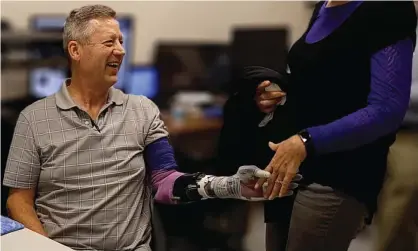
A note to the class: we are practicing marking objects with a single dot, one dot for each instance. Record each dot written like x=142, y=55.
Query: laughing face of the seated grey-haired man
x=101, y=57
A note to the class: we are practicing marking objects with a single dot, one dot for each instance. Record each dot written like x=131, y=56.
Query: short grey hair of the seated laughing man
x=77, y=25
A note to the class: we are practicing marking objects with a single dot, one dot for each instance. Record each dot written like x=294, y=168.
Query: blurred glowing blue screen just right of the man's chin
x=142, y=80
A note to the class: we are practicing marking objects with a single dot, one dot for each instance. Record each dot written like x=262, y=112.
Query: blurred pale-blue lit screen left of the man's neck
x=45, y=81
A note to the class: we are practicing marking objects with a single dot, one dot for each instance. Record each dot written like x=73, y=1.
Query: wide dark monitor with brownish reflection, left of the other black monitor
x=191, y=67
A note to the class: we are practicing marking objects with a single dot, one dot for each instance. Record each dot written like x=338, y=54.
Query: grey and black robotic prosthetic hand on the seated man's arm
x=194, y=187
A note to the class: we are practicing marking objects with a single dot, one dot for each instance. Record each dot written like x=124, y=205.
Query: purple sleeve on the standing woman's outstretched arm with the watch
x=391, y=72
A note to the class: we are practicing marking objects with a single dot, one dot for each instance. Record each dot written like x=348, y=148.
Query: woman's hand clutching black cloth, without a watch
x=267, y=100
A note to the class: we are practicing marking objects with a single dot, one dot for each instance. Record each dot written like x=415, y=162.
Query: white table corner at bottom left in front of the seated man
x=27, y=240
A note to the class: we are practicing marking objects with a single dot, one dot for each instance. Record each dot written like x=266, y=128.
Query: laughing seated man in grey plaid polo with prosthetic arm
x=86, y=162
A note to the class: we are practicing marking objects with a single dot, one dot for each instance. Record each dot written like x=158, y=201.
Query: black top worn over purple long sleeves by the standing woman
x=319, y=94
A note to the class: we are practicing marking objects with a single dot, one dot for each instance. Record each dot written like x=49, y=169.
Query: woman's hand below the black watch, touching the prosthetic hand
x=283, y=167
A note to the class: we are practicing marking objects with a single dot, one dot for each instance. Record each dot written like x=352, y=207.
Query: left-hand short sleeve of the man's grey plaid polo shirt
x=23, y=163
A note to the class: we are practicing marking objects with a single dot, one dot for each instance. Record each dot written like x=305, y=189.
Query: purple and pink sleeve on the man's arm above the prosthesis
x=159, y=156
